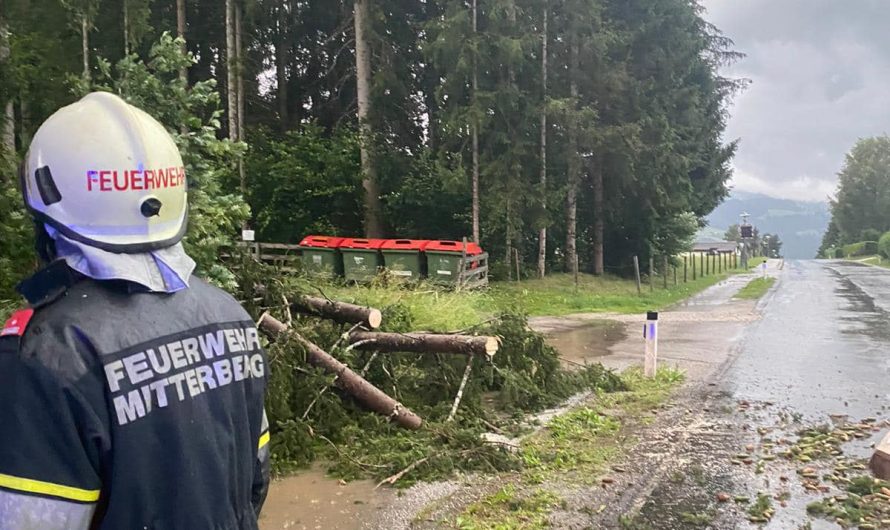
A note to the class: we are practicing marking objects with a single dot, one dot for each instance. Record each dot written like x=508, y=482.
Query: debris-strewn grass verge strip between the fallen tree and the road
x=576, y=448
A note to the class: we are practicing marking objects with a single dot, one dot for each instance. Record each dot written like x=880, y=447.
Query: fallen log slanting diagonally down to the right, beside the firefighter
x=364, y=392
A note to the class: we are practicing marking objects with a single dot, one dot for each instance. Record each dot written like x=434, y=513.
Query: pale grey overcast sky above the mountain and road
x=820, y=79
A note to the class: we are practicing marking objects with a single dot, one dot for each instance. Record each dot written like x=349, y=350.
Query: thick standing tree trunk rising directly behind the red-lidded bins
x=373, y=209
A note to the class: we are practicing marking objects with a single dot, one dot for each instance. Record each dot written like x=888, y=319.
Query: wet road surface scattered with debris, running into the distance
x=816, y=351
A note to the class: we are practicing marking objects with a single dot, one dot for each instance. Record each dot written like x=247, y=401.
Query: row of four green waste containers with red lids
x=361, y=260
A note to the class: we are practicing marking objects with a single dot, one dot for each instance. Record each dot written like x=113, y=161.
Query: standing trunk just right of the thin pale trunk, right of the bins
x=574, y=167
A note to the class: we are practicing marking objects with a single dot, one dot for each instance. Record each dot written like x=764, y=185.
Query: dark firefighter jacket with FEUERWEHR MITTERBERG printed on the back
x=127, y=410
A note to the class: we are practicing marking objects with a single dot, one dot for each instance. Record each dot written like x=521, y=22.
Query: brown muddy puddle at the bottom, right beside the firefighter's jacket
x=311, y=500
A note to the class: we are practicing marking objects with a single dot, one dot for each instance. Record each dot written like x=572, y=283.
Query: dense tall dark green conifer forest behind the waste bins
x=634, y=111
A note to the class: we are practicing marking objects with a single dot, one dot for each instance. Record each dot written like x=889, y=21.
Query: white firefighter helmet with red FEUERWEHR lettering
x=105, y=173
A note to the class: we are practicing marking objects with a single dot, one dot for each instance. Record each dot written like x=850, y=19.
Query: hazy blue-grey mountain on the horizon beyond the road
x=800, y=225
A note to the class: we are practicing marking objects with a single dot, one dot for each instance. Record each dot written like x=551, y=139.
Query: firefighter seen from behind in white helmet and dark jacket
x=131, y=391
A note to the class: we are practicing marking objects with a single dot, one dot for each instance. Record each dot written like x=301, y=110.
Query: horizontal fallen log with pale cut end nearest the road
x=424, y=343
